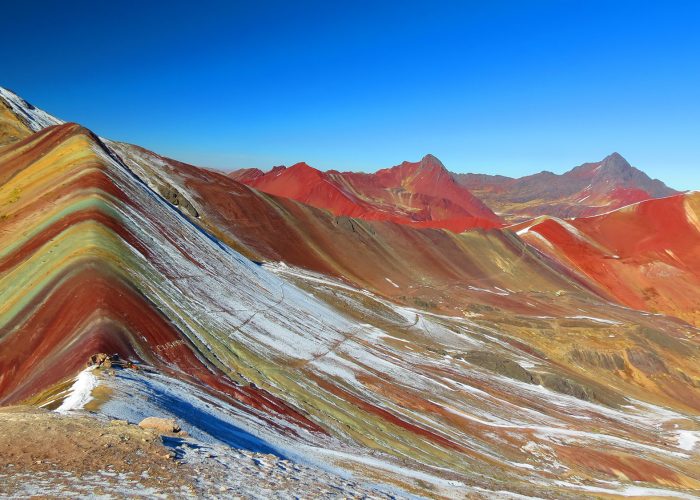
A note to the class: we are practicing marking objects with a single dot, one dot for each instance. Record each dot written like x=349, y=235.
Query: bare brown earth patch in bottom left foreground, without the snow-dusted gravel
x=36, y=441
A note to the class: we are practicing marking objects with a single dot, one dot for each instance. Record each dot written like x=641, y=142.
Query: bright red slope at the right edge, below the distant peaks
x=646, y=255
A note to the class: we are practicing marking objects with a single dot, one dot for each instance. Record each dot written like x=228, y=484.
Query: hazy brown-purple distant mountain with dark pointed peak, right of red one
x=589, y=189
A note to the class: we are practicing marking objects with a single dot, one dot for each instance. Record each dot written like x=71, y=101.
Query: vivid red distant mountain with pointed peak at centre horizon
x=422, y=194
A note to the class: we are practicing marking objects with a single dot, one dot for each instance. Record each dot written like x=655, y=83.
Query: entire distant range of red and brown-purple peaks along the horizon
x=425, y=194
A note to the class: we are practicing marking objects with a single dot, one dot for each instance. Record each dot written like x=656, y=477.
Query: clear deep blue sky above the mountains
x=490, y=86
